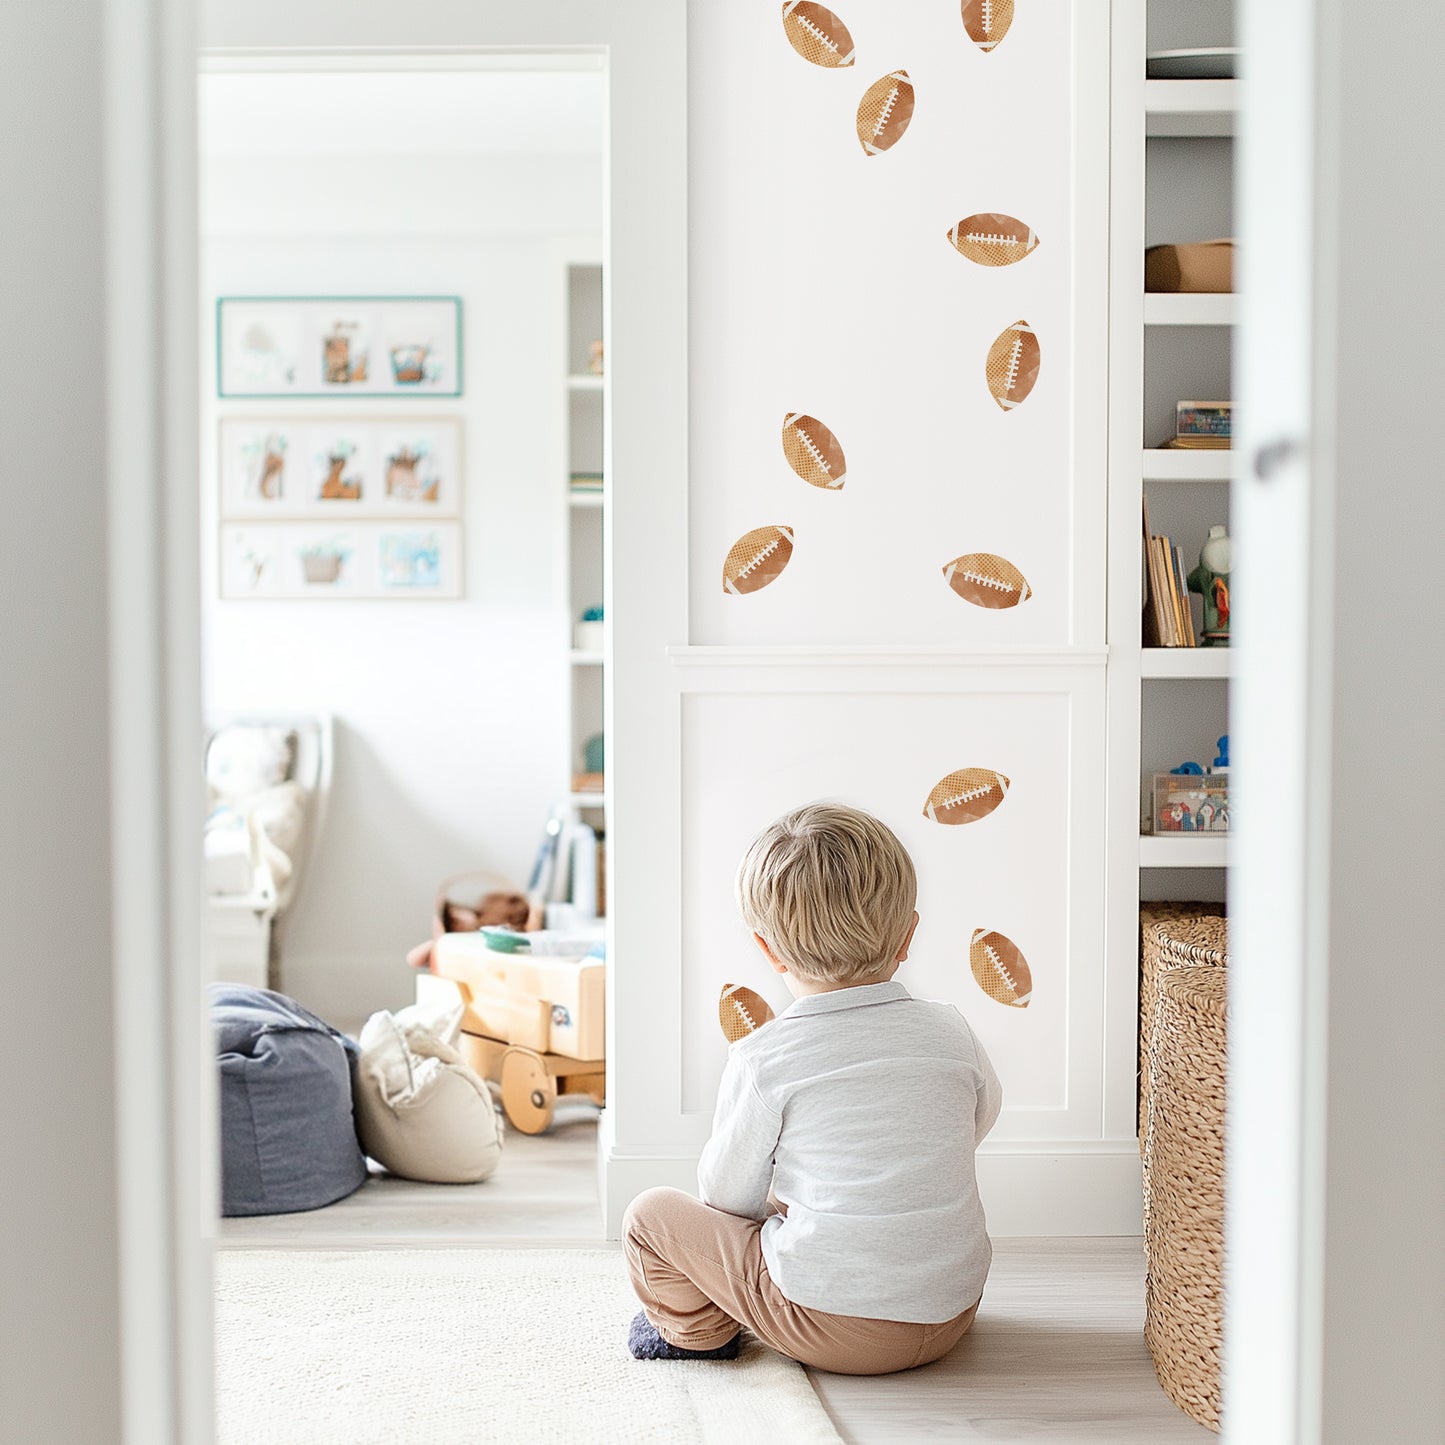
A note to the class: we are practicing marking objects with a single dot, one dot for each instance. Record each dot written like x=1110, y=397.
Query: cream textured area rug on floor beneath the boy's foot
x=431, y=1347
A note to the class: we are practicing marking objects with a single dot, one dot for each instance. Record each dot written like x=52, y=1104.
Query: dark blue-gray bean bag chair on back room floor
x=288, y=1139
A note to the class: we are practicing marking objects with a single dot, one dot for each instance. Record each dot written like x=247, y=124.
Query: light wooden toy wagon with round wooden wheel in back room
x=532, y=1025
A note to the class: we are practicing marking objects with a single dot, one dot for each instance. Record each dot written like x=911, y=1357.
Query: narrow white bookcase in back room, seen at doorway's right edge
x=586, y=517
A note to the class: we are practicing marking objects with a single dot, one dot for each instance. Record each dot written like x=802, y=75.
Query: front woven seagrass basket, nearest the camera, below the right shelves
x=1184, y=1207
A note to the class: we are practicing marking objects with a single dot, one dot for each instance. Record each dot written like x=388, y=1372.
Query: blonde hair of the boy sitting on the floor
x=832, y=891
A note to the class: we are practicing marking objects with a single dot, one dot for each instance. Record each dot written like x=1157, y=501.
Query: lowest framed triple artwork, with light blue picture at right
x=400, y=561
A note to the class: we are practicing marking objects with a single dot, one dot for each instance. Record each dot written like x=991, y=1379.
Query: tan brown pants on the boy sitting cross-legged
x=700, y=1274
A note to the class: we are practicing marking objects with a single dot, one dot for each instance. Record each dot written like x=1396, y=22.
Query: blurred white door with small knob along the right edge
x=1334, y=1264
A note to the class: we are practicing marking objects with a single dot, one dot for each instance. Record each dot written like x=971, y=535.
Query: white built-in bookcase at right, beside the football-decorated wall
x=1171, y=181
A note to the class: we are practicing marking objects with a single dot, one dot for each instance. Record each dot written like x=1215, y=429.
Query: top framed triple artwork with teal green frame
x=339, y=346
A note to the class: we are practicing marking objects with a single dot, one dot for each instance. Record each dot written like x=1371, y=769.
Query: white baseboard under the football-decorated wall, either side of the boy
x=1038, y=1190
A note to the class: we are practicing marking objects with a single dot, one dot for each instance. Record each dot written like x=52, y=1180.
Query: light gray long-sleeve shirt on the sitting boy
x=860, y=1109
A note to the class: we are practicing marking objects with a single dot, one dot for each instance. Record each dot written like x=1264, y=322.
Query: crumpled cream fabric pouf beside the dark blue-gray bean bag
x=421, y=1112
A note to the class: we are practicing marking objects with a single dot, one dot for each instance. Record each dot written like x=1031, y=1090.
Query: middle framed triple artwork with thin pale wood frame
x=297, y=467
